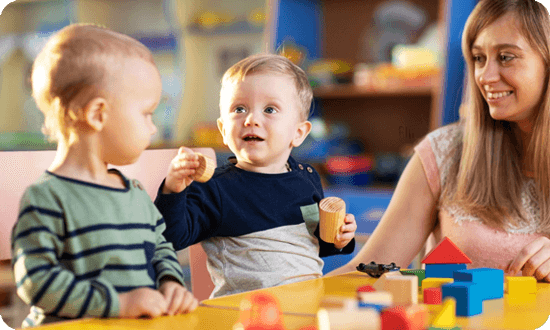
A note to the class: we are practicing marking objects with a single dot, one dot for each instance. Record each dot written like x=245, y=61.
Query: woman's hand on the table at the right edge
x=533, y=260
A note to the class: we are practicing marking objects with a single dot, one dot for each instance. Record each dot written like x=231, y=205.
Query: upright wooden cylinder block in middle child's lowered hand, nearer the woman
x=332, y=211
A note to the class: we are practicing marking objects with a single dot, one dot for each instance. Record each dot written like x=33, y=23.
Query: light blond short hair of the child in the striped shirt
x=73, y=68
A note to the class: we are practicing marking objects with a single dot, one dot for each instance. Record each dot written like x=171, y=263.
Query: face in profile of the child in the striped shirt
x=129, y=127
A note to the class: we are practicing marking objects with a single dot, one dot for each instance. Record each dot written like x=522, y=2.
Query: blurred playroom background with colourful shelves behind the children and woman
x=384, y=74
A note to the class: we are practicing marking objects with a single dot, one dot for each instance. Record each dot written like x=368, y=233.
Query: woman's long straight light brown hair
x=488, y=180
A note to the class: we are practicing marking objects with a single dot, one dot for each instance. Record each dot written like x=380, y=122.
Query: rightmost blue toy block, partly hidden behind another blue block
x=490, y=279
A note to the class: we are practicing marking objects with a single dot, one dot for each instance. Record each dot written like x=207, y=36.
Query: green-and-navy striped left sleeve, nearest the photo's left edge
x=41, y=278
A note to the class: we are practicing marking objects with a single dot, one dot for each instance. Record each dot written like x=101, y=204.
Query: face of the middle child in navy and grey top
x=261, y=121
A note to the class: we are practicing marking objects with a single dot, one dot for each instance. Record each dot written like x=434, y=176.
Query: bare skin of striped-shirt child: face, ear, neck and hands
x=87, y=153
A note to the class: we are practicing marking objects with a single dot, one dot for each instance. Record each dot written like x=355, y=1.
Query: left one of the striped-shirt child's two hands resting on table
x=142, y=302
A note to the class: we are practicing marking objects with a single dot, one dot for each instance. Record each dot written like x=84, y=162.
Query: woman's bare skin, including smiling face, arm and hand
x=503, y=61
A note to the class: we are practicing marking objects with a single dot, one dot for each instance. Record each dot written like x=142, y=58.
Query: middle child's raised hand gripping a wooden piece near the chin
x=181, y=171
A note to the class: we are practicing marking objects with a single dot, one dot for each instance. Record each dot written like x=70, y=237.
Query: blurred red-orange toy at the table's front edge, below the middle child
x=260, y=311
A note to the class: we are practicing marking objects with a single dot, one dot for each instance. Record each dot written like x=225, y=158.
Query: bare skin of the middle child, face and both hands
x=266, y=106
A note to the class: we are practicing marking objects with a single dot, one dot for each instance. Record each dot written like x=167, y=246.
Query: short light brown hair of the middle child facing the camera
x=265, y=63
